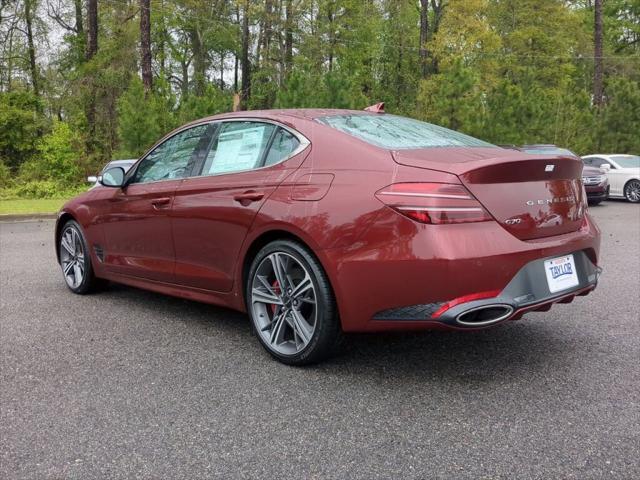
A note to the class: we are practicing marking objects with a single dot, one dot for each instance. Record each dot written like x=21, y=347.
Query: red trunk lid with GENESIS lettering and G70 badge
x=531, y=196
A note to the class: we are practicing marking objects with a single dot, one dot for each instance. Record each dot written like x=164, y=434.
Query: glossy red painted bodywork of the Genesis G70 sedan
x=196, y=244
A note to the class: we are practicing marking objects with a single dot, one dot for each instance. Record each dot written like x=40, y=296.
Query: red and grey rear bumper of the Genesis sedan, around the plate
x=405, y=272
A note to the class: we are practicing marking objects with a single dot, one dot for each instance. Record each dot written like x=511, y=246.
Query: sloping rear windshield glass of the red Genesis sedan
x=395, y=133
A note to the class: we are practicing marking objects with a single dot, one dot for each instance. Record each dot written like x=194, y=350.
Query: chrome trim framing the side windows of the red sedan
x=304, y=143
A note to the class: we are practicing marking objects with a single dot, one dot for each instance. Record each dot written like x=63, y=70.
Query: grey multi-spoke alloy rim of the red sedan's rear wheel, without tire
x=284, y=303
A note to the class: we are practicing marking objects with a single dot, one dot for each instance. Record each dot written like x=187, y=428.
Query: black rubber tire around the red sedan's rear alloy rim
x=327, y=334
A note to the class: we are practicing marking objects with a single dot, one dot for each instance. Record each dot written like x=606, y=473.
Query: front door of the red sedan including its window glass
x=136, y=223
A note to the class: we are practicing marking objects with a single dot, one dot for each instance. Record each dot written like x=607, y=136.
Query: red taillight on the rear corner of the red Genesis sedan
x=434, y=203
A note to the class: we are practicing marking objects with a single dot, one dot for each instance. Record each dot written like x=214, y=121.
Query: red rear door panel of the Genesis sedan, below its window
x=211, y=217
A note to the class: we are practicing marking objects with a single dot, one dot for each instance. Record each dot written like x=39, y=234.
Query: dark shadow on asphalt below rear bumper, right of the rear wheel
x=526, y=348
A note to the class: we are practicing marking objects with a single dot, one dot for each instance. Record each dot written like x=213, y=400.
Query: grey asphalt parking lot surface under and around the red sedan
x=131, y=384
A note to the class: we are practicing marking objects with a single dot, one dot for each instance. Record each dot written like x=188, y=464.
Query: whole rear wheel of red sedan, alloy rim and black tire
x=291, y=304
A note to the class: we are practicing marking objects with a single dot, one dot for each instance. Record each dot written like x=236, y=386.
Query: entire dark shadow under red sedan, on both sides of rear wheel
x=530, y=345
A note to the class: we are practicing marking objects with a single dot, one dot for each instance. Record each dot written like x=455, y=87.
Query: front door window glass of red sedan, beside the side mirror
x=172, y=159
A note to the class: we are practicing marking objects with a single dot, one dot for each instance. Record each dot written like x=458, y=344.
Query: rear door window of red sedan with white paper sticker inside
x=238, y=146
